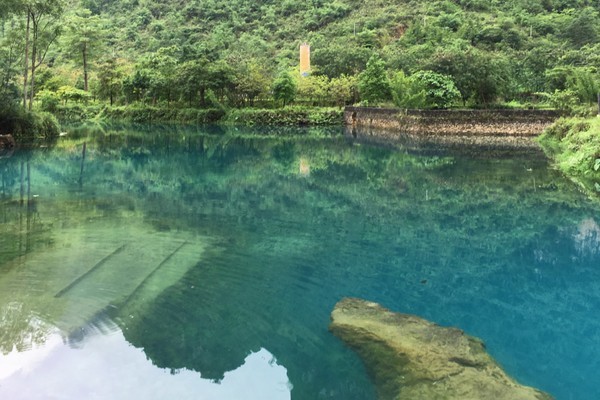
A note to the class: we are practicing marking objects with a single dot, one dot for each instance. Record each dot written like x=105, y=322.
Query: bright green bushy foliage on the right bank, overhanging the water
x=575, y=145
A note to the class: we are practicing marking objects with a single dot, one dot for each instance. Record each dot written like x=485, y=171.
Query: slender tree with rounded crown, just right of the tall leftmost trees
x=84, y=37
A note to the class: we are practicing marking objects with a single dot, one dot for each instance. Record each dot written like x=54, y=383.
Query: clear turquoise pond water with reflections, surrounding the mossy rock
x=204, y=263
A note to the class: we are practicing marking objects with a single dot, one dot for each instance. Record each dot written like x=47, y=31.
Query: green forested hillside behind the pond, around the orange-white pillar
x=242, y=53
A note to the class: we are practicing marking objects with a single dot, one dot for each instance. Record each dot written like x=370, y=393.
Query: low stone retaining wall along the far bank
x=440, y=123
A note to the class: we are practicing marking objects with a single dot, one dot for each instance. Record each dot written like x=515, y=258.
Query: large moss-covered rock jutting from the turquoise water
x=411, y=358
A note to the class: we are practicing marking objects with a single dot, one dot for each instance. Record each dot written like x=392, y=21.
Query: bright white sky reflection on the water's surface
x=108, y=367
